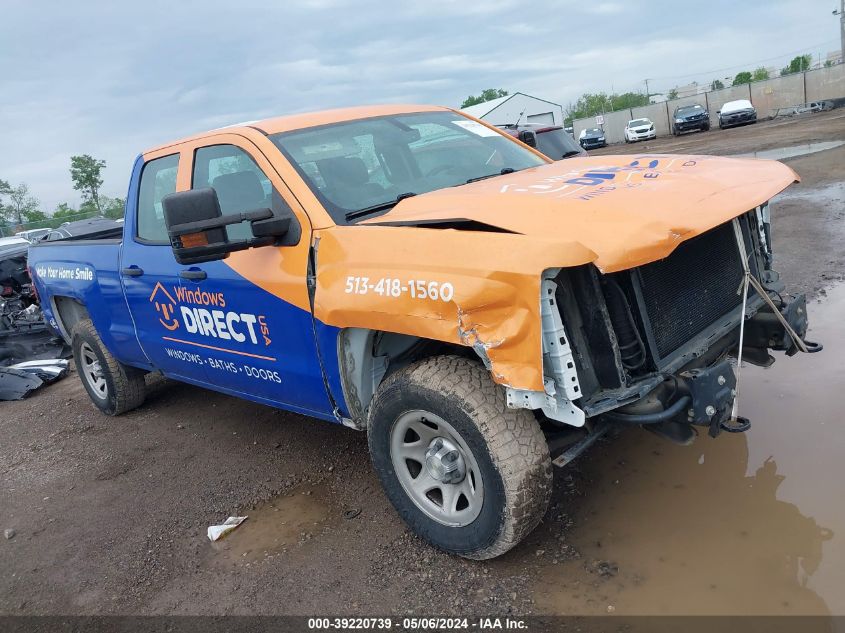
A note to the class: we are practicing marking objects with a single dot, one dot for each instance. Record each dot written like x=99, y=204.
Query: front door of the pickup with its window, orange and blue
x=250, y=316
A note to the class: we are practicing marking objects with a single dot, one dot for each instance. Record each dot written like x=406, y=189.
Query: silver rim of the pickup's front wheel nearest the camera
x=436, y=468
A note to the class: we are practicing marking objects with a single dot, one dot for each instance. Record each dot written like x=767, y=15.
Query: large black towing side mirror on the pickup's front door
x=197, y=226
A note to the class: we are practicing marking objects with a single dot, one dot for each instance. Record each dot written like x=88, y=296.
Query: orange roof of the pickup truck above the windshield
x=290, y=122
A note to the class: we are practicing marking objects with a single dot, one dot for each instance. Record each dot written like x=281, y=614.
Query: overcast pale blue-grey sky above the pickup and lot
x=113, y=78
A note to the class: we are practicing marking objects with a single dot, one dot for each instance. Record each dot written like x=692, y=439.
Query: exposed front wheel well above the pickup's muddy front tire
x=367, y=357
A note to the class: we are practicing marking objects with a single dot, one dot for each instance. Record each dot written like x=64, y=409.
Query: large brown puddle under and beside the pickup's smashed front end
x=743, y=524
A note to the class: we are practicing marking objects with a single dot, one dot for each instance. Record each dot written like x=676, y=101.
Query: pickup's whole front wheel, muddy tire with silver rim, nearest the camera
x=464, y=471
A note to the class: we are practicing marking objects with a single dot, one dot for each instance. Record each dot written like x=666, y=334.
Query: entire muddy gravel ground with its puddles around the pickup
x=109, y=515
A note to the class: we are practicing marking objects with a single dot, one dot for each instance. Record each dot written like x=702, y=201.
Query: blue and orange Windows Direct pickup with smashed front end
x=424, y=277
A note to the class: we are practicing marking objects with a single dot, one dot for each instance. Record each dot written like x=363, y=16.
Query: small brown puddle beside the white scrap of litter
x=275, y=526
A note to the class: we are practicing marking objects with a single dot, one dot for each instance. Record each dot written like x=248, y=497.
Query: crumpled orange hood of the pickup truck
x=624, y=210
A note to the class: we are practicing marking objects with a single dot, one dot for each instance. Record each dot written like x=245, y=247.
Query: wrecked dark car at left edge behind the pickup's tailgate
x=30, y=352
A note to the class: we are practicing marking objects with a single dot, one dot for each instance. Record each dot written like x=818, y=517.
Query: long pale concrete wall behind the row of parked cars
x=767, y=96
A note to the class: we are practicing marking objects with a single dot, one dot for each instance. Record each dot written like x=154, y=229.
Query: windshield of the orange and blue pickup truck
x=369, y=164
